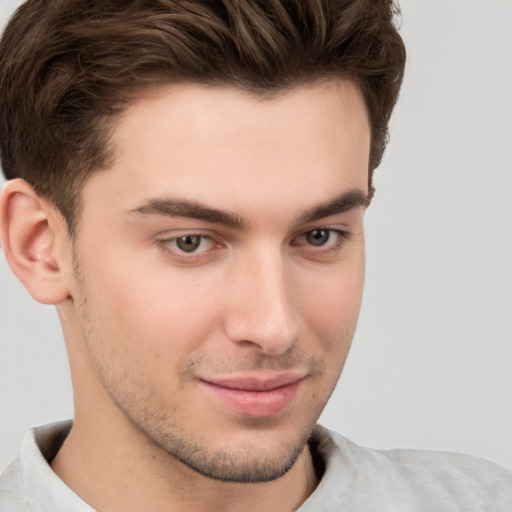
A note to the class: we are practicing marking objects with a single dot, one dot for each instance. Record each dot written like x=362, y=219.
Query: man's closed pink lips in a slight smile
x=256, y=396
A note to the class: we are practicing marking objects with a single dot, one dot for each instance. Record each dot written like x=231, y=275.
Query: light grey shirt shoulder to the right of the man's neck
x=411, y=480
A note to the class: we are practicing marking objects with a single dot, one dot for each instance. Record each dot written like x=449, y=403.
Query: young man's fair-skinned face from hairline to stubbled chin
x=218, y=272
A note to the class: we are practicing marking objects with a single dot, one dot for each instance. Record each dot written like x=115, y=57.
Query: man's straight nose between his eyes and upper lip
x=261, y=309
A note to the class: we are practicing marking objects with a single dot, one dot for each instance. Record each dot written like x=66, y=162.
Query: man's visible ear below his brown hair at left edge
x=35, y=242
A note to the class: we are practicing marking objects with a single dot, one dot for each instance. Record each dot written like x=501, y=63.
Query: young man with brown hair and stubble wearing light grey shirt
x=186, y=183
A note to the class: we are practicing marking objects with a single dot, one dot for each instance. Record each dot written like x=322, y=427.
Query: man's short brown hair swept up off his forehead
x=67, y=67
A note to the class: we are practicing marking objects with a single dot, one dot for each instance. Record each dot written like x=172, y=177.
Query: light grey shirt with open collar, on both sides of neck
x=355, y=479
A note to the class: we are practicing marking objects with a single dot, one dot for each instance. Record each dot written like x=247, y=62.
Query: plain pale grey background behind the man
x=431, y=365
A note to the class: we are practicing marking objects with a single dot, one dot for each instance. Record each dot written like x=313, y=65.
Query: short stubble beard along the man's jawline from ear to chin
x=131, y=395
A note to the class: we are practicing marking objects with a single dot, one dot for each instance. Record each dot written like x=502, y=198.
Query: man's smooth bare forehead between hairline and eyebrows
x=231, y=149
